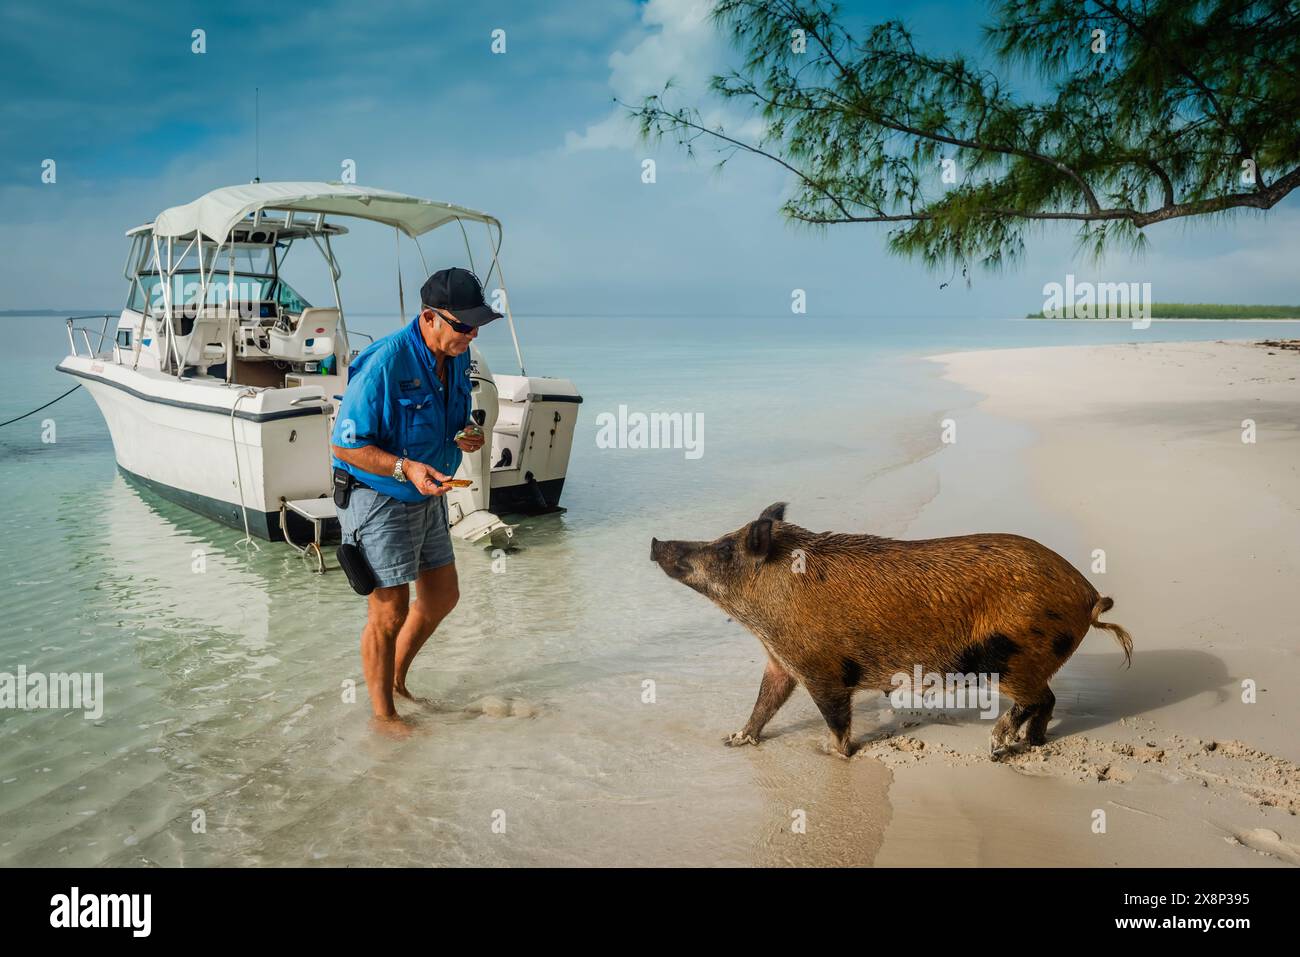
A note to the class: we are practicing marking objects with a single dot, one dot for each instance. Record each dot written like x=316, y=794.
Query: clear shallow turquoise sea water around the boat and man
x=226, y=688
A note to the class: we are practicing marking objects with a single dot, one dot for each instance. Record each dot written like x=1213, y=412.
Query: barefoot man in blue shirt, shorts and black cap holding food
x=400, y=435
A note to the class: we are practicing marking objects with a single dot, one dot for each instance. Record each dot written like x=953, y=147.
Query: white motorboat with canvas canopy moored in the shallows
x=220, y=383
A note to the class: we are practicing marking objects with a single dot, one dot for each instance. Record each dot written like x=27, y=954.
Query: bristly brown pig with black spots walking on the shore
x=838, y=613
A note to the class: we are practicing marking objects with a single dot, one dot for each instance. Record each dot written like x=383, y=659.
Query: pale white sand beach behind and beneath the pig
x=1136, y=451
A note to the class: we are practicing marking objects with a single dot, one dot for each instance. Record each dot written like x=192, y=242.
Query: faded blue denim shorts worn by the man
x=398, y=539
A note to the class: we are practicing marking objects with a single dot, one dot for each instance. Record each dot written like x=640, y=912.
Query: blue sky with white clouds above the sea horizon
x=414, y=96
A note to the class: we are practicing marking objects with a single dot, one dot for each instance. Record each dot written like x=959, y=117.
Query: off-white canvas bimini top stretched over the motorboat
x=220, y=211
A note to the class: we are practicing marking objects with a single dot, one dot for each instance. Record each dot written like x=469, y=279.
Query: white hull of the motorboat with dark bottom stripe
x=235, y=454
